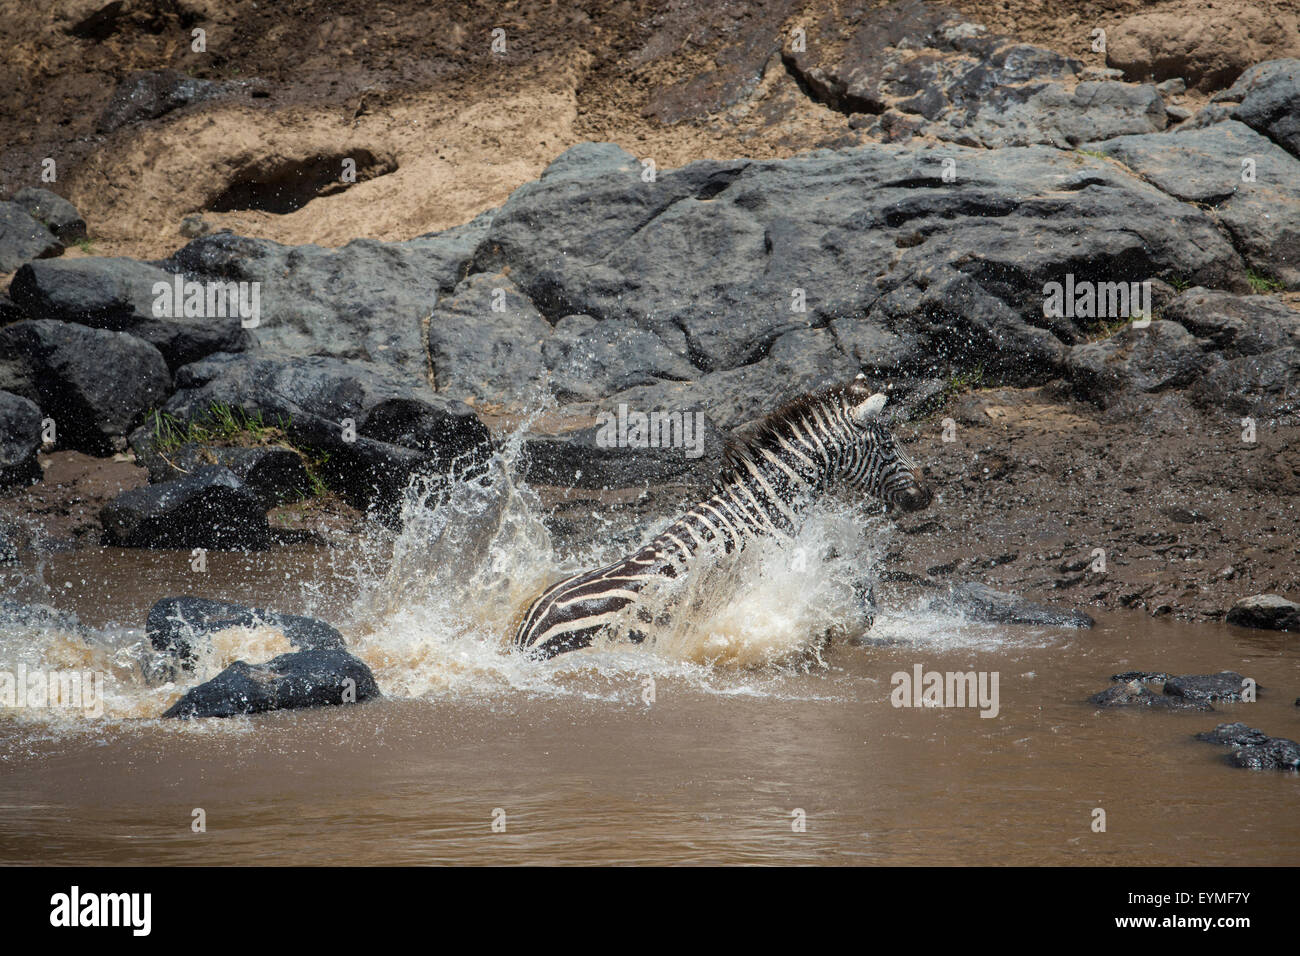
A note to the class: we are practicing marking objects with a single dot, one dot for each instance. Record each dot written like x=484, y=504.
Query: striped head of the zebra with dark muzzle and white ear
x=876, y=462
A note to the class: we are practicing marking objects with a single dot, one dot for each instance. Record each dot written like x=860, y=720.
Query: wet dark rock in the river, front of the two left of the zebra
x=302, y=680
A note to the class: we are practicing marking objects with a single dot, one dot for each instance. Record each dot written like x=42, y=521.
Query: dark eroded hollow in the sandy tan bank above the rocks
x=289, y=185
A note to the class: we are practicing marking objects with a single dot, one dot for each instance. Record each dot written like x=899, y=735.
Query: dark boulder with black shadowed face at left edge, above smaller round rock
x=96, y=384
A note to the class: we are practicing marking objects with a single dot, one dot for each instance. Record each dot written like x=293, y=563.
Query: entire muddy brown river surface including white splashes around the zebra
x=731, y=739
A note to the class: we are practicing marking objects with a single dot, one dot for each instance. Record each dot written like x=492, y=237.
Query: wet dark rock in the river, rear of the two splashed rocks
x=177, y=624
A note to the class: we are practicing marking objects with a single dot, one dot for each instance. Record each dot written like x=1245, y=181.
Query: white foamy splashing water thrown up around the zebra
x=436, y=604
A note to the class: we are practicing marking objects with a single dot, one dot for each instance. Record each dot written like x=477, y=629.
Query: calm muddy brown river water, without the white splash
x=713, y=772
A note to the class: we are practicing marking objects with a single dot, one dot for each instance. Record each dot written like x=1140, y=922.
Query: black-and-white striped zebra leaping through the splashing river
x=831, y=439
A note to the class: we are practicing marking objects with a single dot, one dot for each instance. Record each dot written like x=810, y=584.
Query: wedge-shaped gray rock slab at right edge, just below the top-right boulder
x=1206, y=166
